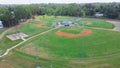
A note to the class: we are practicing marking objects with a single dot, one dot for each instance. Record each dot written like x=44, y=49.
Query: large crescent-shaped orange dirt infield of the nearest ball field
x=83, y=33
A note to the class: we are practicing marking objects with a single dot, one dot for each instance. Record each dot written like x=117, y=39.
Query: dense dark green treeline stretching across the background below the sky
x=12, y=14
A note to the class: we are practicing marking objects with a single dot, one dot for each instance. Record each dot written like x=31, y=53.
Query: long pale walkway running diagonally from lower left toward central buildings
x=8, y=50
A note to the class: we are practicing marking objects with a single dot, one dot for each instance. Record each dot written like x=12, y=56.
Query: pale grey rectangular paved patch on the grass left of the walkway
x=17, y=36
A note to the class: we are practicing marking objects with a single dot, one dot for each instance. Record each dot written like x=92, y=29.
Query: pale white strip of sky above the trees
x=53, y=1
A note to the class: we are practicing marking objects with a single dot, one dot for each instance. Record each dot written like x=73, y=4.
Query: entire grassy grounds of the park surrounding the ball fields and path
x=99, y=49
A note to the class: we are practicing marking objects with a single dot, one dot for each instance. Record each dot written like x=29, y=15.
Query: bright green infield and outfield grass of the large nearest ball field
x=98, y=44
